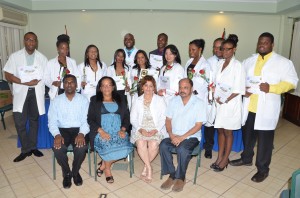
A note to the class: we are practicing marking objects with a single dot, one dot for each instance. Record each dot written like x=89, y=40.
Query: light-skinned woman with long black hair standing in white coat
x=170, y=74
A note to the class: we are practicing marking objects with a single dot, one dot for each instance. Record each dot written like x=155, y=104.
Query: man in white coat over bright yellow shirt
x=268, y=76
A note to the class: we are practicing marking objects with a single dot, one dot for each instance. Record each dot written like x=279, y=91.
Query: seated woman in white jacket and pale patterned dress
x=148, y=124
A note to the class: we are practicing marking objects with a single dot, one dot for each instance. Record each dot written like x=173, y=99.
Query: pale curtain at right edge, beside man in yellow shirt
x=295, y=51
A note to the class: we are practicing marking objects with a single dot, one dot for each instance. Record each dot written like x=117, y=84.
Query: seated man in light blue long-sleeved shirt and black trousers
x=68, y=124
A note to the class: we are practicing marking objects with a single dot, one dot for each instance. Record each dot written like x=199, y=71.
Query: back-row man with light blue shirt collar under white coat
x=129, y=49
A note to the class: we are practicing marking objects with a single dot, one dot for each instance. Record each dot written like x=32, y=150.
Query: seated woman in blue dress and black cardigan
x=108, y=118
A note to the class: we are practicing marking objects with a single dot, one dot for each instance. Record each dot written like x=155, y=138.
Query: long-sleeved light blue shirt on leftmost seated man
x=64, y=113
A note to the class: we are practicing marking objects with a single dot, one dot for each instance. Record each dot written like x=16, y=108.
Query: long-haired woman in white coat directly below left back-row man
x=119, y=71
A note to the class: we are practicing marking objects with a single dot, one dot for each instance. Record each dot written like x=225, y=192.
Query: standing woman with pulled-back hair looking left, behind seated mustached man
x=198, y=70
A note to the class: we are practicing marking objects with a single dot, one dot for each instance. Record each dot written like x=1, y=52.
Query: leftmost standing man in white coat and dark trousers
x=25, y=69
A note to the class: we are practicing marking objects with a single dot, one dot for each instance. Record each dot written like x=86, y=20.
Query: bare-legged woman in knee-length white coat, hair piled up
x=230, y=86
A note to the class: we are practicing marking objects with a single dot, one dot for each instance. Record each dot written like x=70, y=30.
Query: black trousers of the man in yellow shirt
x=265, y=139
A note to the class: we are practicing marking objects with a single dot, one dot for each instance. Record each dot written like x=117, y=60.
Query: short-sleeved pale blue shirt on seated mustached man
x=184, y=117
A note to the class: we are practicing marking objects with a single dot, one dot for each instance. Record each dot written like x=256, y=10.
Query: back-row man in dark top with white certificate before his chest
x=156, y=56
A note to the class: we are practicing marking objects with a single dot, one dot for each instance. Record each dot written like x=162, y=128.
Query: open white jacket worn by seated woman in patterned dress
x=157, y=108
